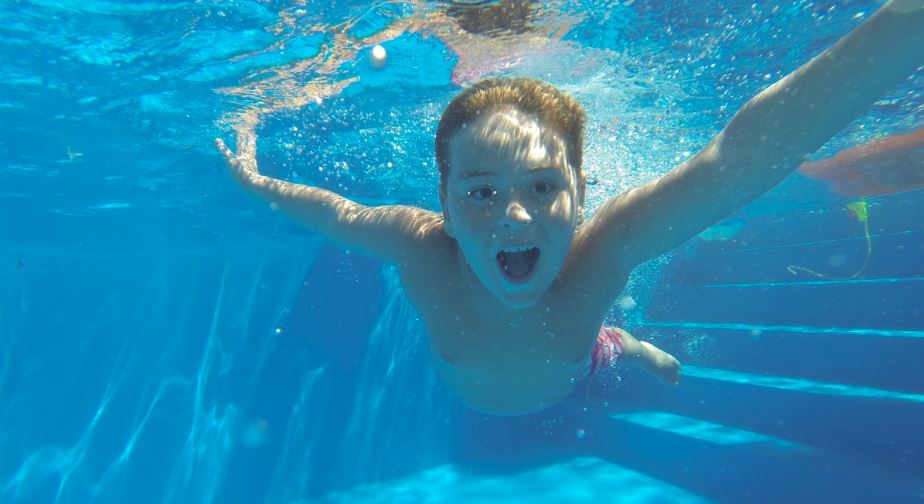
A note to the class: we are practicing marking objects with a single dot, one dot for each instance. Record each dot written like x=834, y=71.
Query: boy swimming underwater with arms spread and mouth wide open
x=511, y=285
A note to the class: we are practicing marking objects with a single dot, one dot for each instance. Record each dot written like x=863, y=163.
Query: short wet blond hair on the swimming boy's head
x=551, y=106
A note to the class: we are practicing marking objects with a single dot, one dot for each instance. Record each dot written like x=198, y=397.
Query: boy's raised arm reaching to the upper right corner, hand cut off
x=765, y=141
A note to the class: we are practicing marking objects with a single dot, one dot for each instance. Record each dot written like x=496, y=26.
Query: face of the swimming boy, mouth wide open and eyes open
x=511, y=203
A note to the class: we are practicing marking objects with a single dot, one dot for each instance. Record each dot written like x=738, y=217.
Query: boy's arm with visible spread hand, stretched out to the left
x=390, y=233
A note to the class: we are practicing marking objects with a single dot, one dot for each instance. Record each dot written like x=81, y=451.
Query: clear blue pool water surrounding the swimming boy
x=165, y=338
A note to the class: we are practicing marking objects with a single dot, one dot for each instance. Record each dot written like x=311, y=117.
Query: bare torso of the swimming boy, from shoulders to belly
x=499, y=359
